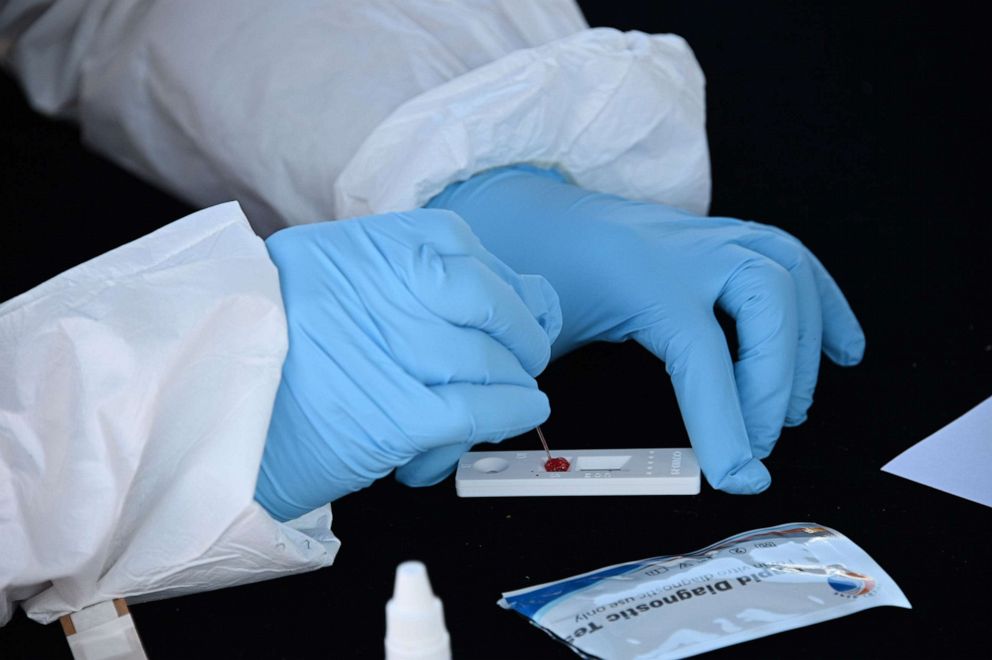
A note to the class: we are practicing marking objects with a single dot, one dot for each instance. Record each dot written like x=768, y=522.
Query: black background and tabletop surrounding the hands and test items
x=858, y=128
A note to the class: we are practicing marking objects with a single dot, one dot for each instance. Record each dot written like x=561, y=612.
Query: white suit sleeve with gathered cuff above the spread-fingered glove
x=313, y=110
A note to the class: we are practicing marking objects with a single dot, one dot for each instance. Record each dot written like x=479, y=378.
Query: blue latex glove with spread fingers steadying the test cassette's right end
x=626, y=269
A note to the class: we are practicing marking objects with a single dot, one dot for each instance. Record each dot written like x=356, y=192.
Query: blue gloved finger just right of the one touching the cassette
x=761, y=297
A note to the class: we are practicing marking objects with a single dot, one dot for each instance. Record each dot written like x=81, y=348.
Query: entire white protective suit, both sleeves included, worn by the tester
x=135, y=389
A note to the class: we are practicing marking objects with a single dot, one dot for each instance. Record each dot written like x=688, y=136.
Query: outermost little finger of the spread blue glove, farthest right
x=843, y=338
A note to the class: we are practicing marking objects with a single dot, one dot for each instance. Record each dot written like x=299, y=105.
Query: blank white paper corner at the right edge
x=956, y=459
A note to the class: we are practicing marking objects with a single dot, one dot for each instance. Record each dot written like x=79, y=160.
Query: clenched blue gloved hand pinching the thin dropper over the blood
x=408, y=342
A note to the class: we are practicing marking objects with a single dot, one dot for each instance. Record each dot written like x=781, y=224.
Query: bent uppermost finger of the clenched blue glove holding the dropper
x=465, y=292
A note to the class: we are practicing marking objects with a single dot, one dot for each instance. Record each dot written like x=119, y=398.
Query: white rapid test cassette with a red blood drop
x=591, y=472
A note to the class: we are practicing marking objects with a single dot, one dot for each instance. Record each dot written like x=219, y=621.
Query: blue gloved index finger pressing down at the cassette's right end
x=697, y=359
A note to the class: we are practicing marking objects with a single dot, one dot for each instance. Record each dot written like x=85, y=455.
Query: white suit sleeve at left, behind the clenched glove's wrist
x=135, y=396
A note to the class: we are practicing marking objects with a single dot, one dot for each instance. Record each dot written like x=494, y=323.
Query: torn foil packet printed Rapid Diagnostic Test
x=747, y=586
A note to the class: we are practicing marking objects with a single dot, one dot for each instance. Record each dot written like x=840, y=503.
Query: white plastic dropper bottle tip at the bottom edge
x=415, y=618
